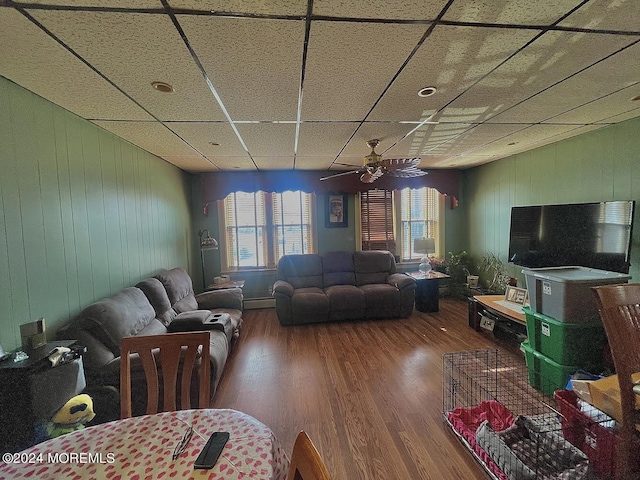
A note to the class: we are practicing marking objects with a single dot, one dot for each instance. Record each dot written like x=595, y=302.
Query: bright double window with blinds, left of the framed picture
x=260, y=227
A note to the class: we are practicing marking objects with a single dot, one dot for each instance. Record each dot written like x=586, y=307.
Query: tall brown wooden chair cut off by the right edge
x=619, y=307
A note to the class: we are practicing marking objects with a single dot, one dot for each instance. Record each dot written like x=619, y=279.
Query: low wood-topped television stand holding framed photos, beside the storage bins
x=486, y=314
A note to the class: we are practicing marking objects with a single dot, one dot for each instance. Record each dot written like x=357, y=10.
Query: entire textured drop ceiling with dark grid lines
x=303, y=84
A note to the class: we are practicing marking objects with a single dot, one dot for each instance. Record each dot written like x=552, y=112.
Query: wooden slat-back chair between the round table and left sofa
x=176, y=354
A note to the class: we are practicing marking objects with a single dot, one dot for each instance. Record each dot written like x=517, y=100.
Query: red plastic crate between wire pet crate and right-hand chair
x=596, y=440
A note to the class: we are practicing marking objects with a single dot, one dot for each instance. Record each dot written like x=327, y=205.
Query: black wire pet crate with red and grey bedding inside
x=514, y=430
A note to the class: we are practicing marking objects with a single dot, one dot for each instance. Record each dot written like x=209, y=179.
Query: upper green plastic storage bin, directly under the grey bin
x=580, y=344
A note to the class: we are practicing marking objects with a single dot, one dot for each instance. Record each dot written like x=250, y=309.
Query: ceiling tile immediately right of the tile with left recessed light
x=254, y=64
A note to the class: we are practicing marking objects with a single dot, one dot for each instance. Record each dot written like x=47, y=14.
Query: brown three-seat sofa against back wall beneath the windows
x=341, y=286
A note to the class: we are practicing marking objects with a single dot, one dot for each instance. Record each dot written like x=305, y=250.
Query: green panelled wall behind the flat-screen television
x=597, y=166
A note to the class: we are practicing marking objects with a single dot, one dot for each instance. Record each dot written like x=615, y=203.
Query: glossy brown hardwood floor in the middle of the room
x=368, y=393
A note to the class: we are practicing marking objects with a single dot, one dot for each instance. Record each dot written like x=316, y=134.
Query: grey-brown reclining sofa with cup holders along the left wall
x=152, y=307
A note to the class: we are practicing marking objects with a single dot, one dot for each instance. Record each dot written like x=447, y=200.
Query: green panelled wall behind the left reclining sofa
x=84, y=213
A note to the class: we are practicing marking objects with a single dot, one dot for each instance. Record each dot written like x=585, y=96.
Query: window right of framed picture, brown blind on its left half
x=404, y=215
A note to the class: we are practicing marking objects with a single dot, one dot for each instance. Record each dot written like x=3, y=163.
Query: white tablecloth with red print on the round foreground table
x=142, y=447
